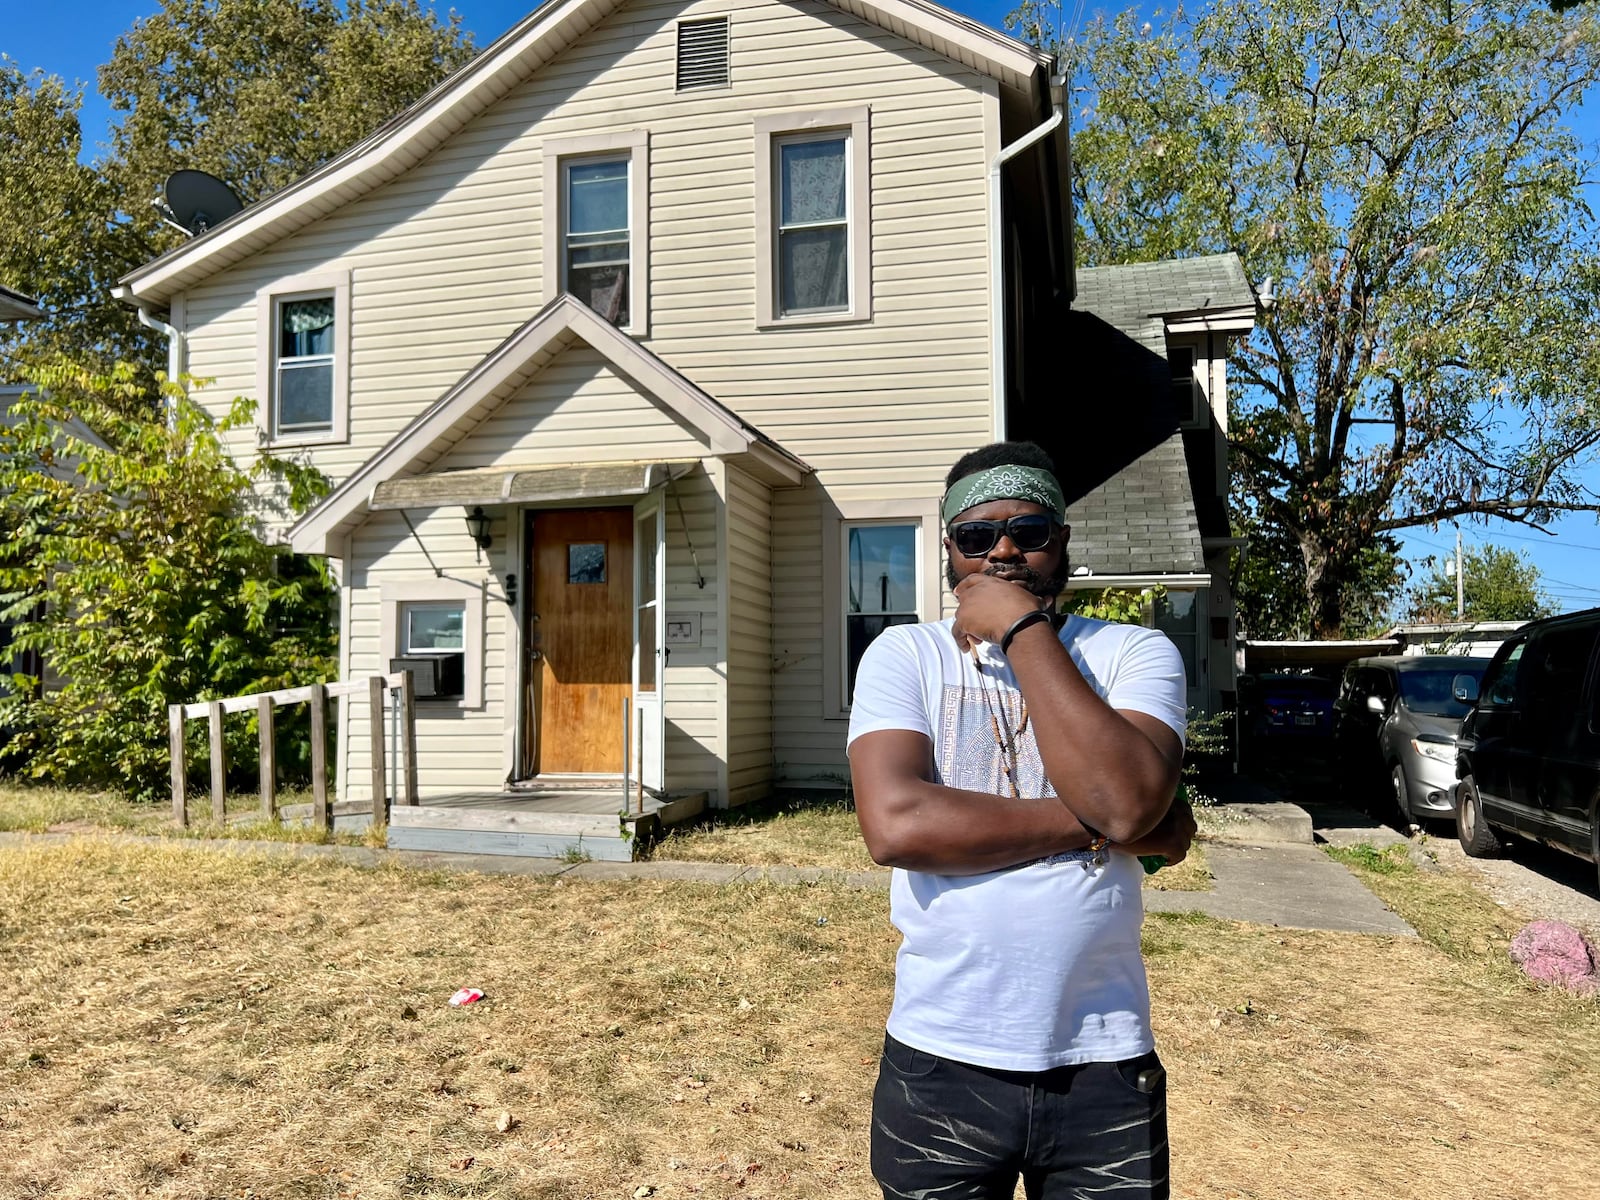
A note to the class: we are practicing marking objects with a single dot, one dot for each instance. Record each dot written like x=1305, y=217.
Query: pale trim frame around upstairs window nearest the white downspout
x=857, y=126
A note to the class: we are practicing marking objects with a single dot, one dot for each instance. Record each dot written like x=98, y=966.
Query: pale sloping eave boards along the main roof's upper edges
x=418, y=130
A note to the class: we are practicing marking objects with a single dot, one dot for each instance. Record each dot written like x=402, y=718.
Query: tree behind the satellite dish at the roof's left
x=255, y=92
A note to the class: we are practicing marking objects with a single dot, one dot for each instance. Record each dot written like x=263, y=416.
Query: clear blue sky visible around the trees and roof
x=73, y=38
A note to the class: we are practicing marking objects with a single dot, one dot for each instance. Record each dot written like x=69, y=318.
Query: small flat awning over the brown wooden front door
x=529, y=486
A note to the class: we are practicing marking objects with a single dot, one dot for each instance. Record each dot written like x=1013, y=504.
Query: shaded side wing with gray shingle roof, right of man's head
x=1145, y=454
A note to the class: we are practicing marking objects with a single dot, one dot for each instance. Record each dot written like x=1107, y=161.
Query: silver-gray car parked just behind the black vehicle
x=1396, y=724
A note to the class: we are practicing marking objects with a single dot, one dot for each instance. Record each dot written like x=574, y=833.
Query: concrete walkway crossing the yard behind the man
x=1286, y=884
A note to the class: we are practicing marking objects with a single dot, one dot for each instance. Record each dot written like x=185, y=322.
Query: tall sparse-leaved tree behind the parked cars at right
x=1401, y=183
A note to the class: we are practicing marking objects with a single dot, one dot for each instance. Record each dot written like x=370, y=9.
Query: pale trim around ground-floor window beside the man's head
x=930, y=575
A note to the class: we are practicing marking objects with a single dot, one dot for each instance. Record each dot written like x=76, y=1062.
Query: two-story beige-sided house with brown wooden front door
x=694, y=305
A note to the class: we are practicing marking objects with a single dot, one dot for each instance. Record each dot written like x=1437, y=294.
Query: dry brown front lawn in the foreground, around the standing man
x=188, y=1025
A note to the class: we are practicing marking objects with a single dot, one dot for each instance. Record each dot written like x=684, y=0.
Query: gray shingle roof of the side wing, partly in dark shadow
x=1122, y=462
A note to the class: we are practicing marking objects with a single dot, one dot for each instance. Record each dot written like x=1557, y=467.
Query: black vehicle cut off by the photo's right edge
x=1530, y=750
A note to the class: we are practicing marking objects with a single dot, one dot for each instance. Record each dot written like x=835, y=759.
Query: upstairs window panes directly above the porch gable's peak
x=596, y=244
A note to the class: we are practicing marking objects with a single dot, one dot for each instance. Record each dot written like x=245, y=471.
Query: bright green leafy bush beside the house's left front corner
x=132, y=567
